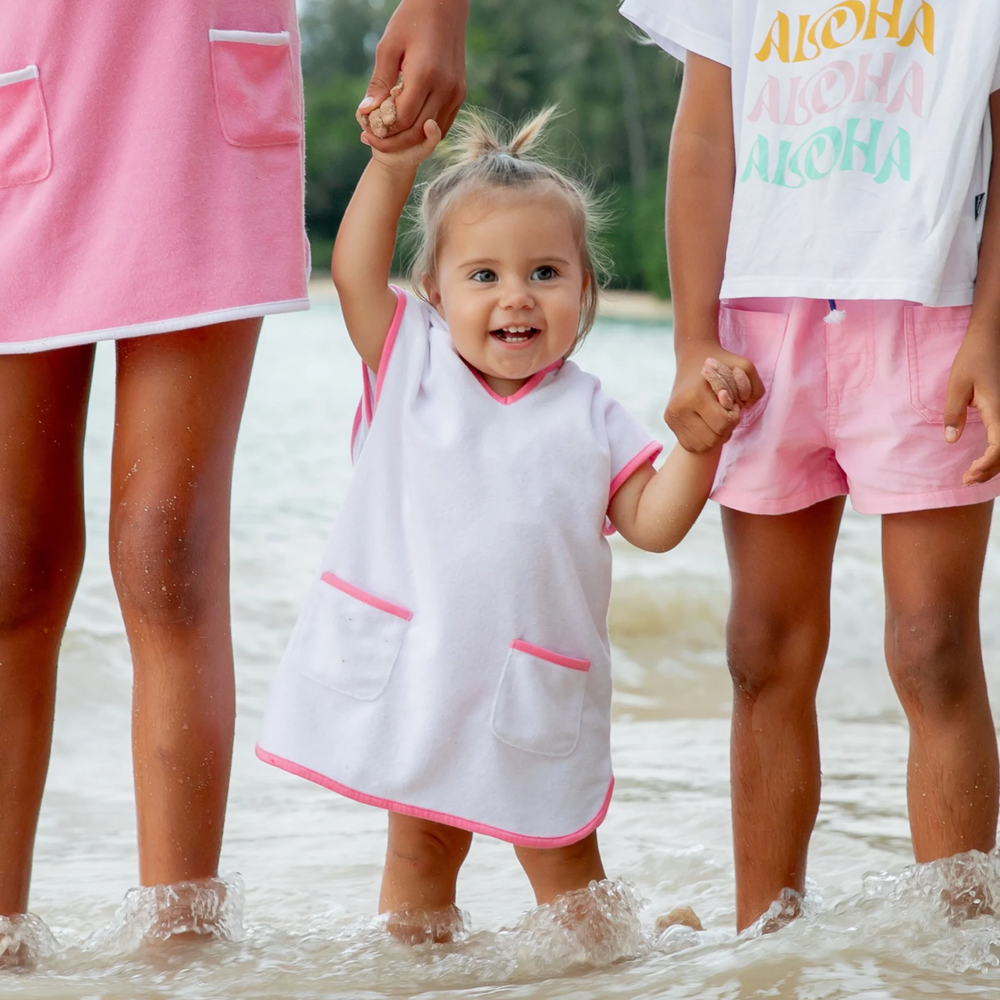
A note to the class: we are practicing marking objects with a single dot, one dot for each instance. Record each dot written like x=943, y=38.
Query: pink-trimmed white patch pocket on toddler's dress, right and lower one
x=539, y=702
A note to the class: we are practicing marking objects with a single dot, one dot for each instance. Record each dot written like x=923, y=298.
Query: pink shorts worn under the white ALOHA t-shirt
x=854, y=409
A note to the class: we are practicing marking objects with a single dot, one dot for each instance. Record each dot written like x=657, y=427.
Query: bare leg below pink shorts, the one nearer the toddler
x=779, y=629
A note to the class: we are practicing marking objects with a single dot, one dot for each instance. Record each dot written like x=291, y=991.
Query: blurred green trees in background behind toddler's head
x=617, y=97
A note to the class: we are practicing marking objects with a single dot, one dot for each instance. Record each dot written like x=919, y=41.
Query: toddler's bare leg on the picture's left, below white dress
x=420, y=878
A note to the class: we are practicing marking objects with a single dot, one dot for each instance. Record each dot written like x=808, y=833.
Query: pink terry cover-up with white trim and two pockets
x=151, y=167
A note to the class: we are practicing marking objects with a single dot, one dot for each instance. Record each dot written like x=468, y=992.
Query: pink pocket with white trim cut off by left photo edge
x=25, y=149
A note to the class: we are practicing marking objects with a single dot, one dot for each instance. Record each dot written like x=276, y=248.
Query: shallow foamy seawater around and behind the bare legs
x=300, y=910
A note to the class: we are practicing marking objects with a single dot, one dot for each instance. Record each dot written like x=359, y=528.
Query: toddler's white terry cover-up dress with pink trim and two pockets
x=452, y=659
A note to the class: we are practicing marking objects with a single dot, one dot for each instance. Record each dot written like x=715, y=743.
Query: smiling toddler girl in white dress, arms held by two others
x=451, y=664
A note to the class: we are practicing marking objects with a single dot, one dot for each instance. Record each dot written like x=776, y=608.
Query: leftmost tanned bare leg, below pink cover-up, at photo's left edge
x=43, y=405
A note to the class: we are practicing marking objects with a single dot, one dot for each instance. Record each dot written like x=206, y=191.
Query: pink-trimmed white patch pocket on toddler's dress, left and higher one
x=348, y=640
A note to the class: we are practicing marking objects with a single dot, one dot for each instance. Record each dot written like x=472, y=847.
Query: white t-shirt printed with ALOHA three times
x=862, y=158
